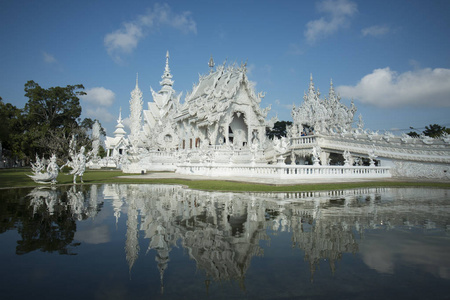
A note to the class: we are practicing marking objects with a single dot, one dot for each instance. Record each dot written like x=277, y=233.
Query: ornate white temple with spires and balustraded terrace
x=220, y=130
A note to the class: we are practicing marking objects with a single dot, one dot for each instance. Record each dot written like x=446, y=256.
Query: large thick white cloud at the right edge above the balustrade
x=387, y=88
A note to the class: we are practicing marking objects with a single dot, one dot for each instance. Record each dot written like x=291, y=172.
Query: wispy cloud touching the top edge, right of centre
x=338, y=13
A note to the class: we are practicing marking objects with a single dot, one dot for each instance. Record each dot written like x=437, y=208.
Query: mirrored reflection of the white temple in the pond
x=222, y=231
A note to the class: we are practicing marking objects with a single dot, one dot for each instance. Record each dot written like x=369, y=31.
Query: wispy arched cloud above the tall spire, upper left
x=126, y=39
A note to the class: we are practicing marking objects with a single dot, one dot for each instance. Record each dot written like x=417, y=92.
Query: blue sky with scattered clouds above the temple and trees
x=391, y=57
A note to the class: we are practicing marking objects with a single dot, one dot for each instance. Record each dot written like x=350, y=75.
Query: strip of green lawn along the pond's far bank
x=17, y=178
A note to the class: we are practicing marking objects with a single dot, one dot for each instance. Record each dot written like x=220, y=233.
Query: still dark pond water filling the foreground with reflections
x=168, y=242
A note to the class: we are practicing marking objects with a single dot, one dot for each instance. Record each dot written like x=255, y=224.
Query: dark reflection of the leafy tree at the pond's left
x=46, y=218
